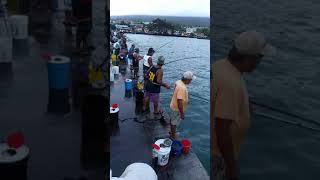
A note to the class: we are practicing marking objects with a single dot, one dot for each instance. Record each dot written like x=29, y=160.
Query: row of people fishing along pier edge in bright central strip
x=153, y=80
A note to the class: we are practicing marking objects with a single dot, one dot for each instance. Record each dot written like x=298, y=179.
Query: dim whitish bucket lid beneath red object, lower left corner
x=5, y=157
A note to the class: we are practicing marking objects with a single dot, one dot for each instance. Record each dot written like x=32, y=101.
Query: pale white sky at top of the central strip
x=196, y=8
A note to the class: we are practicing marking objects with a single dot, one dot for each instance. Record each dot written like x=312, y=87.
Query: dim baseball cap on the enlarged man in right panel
x=253, y=43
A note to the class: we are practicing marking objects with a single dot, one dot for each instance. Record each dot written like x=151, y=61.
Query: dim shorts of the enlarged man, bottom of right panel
x=218, y=168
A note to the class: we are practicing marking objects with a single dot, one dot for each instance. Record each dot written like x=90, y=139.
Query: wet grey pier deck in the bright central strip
x=131, y=140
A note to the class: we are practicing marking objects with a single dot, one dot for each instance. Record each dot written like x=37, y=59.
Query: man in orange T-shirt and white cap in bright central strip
x=179, y=101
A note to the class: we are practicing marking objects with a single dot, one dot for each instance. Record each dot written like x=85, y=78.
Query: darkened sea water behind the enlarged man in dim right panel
x=288, y=81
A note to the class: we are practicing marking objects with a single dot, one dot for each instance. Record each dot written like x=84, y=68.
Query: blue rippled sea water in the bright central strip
x=196, y=125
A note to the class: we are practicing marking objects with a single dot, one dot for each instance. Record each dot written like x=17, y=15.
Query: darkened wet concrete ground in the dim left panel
x=55, y=140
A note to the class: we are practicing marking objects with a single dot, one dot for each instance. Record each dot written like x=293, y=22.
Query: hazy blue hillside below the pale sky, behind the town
x=191, y=21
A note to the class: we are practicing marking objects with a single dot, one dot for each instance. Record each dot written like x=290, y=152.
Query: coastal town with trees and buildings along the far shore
x=159, y=27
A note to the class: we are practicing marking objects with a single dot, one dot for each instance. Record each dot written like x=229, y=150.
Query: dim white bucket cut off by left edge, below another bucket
x=6, y=49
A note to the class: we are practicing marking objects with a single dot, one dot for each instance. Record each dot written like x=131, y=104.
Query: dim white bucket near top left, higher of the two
x=19, y=26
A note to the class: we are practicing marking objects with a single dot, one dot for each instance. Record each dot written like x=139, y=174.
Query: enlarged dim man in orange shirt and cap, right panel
x=230, y=108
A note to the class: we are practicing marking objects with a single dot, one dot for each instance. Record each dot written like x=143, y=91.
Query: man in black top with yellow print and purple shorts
x=153, y=86
